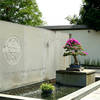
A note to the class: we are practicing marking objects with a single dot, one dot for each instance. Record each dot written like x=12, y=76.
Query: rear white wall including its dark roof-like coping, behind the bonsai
x=89, y=39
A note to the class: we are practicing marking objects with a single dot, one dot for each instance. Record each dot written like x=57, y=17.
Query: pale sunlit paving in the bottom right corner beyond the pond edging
x=93, y=96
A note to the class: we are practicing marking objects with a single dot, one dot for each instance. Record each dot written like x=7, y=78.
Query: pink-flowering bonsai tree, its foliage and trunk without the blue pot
x=74, y=48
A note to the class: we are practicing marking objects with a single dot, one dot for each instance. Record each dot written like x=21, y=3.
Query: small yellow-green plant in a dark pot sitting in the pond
x=47, y=88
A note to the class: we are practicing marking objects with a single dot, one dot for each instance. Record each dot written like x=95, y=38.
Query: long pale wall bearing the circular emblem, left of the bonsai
x=29, y=55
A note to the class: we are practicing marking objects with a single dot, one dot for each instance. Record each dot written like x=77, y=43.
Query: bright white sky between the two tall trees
x=54, y=12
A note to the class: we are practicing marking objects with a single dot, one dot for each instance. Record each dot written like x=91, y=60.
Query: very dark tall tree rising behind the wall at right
x=89, y=14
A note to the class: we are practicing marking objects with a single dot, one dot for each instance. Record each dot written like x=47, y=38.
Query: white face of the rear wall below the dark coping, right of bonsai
x=90, y=40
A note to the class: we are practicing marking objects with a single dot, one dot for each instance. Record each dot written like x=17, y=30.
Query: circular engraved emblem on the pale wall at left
x=12, y=50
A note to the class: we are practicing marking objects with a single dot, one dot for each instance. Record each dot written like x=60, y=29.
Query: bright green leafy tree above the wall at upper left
x=20, y=11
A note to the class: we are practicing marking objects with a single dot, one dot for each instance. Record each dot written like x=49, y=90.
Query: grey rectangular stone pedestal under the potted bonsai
x=75, y=78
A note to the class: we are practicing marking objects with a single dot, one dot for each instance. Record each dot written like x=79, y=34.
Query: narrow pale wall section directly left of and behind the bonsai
x=61, y=61
